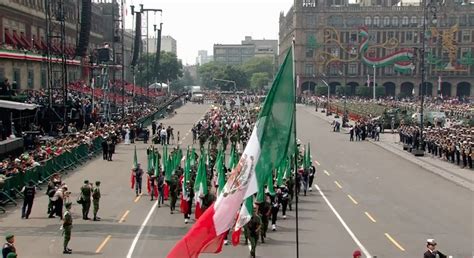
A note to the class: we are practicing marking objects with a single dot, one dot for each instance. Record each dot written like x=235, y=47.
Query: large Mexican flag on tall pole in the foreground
x=270, y=143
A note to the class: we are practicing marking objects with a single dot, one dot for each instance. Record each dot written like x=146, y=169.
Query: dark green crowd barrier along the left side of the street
x=13, y=184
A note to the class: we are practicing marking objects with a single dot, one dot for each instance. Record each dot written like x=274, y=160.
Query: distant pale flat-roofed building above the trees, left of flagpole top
x=237, y=54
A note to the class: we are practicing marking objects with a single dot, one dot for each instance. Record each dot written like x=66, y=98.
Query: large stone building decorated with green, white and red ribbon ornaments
x=345, y=44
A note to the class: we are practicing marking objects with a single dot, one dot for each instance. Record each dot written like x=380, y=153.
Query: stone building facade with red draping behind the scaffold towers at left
x=23, y=41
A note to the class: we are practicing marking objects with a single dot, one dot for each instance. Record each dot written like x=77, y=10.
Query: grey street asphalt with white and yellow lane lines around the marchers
x=385, y=206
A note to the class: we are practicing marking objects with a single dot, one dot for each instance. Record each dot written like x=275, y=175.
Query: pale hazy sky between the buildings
x=198, y=24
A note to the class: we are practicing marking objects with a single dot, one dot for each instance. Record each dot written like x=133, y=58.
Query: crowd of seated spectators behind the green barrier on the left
x=65, y=138
